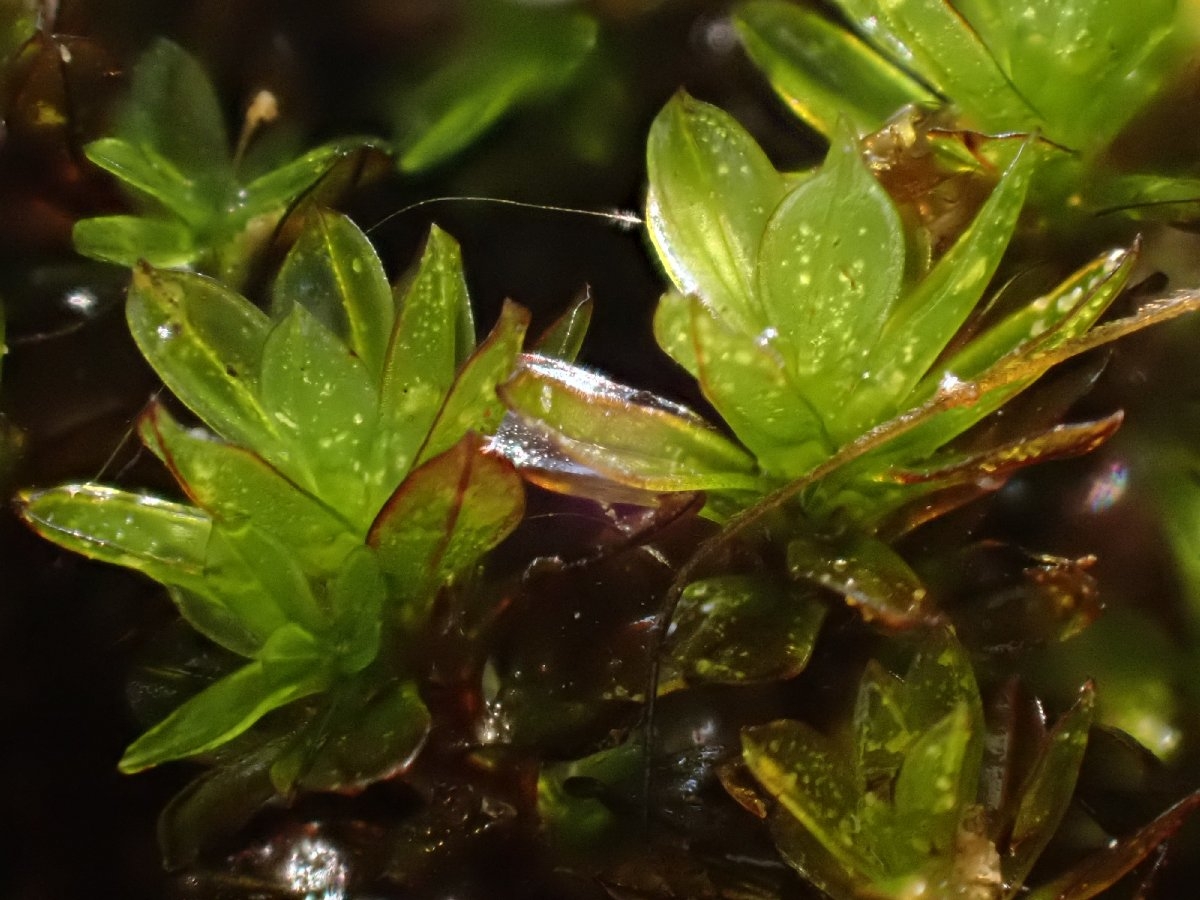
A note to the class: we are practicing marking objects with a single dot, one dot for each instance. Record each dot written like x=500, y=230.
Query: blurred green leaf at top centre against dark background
x=526, y=58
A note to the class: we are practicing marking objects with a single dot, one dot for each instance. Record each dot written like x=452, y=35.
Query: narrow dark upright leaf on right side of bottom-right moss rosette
x=1049, y=788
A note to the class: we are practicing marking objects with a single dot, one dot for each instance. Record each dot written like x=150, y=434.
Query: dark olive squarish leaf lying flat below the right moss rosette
x=735, y=629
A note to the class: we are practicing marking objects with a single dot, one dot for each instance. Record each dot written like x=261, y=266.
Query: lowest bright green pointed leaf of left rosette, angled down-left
x=291, y=668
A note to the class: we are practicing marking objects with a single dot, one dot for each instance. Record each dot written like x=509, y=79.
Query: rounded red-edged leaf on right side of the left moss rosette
x=445, y=517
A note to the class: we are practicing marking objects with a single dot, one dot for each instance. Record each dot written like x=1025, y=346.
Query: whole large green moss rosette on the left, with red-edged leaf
x=341, y=488
